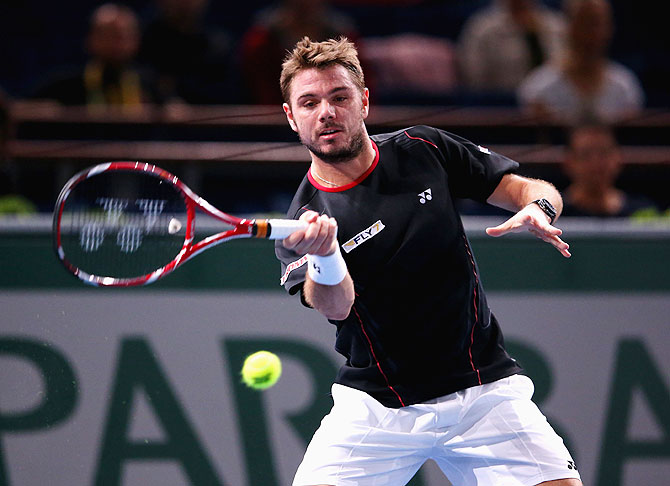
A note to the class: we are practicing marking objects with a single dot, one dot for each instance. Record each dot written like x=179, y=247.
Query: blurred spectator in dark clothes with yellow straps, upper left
x=110, y=77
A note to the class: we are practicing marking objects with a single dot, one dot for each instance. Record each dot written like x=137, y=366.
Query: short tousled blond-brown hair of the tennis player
x=308, y=54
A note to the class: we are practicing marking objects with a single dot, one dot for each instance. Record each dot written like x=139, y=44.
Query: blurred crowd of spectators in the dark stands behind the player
x=550, y=60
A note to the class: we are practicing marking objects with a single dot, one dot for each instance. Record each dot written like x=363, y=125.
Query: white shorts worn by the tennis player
x=488, y=434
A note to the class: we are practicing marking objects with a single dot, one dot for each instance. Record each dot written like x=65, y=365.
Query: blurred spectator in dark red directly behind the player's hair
x=275, y=31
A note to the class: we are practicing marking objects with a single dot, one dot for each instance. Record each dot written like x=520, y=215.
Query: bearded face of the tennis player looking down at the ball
x=327, y=111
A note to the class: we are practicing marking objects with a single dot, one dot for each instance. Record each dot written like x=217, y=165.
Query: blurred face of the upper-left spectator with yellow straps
x=114, y=37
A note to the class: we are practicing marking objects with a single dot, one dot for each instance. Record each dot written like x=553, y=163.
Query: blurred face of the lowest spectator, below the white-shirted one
x=593, y=156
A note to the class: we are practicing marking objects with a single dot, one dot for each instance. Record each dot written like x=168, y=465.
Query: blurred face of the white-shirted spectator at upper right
x=590, y=27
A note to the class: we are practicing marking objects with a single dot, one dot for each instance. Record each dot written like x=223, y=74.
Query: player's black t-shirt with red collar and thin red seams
x=420, y=326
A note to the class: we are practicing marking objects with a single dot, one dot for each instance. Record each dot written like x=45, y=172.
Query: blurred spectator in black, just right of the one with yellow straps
x=192, y=63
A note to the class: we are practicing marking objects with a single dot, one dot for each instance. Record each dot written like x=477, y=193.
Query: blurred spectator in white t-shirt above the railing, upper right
x=585, y=83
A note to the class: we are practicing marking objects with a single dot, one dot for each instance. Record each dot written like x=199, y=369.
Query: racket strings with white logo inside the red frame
x=122, y=225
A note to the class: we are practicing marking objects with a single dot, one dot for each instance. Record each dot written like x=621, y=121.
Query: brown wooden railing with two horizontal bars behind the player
x=49, y=132
